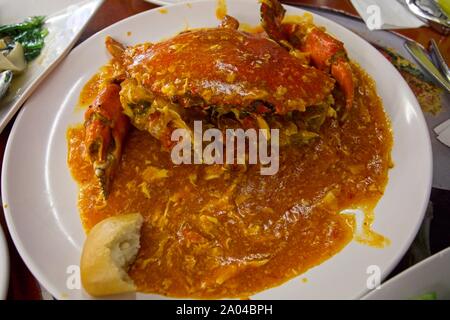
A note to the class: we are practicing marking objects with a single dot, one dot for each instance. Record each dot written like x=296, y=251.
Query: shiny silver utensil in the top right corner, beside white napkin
x=432, y=13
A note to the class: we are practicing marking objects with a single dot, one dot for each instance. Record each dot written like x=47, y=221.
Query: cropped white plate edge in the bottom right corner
x=428, y=276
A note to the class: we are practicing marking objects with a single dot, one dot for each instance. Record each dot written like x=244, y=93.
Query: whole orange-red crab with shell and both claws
x=286, y=74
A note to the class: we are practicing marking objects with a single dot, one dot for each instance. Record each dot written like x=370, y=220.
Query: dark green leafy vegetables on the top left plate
x=30, y=34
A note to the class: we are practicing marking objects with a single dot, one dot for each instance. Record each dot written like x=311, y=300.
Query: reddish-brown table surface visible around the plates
x=22, y=283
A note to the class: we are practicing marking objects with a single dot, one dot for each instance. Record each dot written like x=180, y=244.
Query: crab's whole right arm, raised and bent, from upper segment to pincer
x=326, y=53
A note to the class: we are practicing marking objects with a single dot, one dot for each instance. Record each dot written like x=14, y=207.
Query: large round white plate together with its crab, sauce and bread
x=340, y=209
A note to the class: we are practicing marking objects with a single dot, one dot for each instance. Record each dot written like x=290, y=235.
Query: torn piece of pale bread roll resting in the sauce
x=110, y=248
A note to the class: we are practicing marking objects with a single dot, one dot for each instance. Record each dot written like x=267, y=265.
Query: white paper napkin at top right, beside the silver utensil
x=386, y=14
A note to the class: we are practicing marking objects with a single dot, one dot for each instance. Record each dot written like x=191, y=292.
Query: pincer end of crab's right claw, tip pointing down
x=328, y=54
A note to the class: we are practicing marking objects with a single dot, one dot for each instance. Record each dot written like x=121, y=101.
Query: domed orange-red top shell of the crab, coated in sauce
x=227, y=68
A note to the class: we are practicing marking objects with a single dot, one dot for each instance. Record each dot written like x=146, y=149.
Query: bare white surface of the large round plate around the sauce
x=42, y=196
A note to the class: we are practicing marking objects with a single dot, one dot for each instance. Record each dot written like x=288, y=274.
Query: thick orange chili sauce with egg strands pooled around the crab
x=210, y=233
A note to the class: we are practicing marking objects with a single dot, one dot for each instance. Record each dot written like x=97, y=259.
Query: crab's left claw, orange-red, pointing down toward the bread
x=105, y=130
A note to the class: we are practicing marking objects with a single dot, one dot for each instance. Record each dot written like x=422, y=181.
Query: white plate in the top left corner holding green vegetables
x=65, y=21
